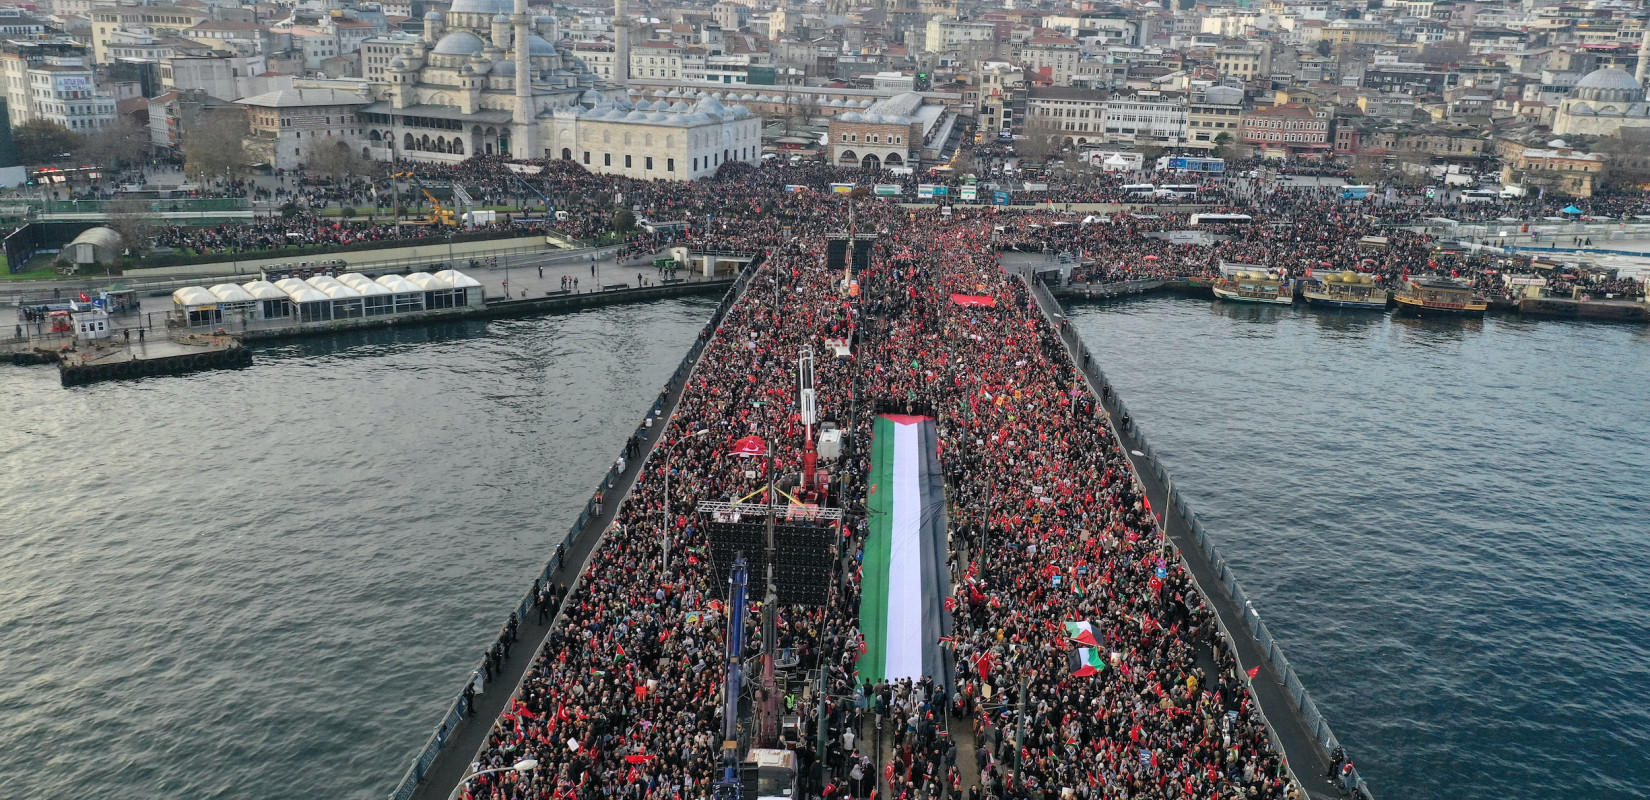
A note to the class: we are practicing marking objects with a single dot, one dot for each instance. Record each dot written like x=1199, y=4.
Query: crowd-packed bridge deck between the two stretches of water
x=1082, y=651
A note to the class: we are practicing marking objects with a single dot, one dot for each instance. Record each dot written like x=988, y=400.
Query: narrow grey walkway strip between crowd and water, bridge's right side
x=1296, y=725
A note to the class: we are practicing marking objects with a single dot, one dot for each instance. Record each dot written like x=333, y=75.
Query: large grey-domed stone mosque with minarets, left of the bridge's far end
x=486, y=78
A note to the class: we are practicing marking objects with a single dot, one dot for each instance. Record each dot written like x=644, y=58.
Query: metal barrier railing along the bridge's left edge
x=455, y=715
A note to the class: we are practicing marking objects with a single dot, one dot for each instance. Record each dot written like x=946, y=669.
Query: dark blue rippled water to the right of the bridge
x=1445, y=524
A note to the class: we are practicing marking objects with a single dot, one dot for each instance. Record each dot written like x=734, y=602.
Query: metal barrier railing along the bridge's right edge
x=1255, y=628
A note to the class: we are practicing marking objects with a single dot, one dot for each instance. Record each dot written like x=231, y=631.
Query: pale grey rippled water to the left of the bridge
x=268, y=583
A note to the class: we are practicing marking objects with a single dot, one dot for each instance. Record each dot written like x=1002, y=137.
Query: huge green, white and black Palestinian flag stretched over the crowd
x=905, y=581
